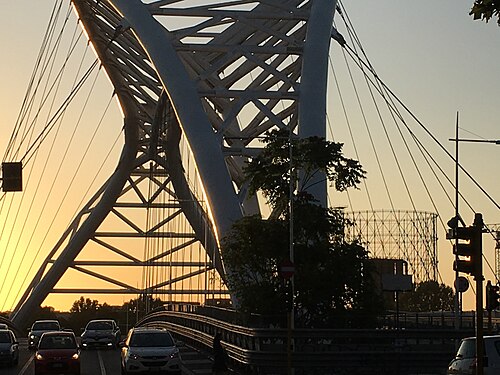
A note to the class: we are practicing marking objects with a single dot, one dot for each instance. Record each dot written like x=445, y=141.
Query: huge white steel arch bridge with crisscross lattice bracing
x=198, y=83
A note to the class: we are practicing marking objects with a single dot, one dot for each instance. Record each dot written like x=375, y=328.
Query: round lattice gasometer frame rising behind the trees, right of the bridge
x=407, y=235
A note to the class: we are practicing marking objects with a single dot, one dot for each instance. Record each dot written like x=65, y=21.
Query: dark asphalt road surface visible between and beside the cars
x=106, y=362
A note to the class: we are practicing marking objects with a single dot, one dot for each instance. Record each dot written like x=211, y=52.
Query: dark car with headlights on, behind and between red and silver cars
x=101, y=333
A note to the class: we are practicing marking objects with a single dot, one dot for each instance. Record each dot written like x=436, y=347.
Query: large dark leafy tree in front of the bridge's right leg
x=332, y=276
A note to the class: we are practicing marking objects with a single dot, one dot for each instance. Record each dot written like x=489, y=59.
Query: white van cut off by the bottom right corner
x=464, y=362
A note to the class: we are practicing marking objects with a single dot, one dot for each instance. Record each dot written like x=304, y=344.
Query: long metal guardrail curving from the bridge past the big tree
x=319, y=351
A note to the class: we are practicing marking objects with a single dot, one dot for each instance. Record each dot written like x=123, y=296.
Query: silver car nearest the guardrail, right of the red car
x=150, y=350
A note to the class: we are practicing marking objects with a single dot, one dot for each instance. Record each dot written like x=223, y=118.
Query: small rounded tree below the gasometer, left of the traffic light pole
x=428, y=296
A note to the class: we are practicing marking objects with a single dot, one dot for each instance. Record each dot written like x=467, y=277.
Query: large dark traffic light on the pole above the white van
x=468, y=244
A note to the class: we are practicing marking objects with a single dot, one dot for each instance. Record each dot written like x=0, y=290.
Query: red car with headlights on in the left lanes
x=57, y=353
